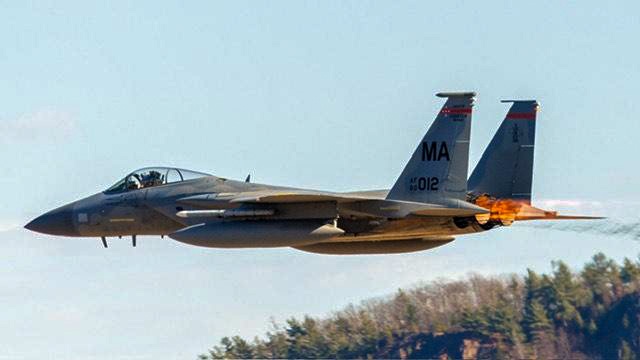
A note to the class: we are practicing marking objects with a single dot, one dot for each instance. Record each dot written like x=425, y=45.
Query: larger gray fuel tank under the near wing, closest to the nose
x=257, y=233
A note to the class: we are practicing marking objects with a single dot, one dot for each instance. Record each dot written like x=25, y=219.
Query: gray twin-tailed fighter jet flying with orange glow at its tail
x=429, y=204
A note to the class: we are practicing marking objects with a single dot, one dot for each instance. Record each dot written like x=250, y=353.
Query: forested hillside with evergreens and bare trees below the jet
x=594, y=313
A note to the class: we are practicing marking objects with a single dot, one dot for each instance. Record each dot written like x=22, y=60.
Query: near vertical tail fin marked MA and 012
x=437, y=170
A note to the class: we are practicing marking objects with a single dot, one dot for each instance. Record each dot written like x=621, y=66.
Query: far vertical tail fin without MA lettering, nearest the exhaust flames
x=505, y=170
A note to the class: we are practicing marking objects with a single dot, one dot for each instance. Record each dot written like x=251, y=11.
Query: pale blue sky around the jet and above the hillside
x=330, y=95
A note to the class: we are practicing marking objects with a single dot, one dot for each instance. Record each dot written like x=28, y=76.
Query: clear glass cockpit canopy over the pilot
x=153, y=176
